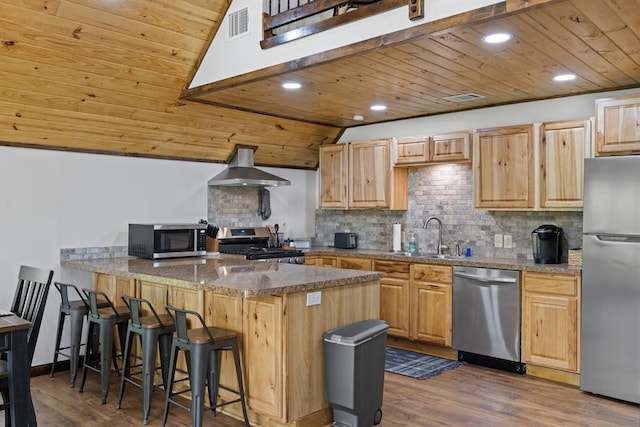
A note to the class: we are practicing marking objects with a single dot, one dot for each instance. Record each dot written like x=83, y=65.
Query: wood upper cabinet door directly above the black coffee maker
x=563, y=148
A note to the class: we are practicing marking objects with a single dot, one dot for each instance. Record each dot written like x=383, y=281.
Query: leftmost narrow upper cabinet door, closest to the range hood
x=333, y=176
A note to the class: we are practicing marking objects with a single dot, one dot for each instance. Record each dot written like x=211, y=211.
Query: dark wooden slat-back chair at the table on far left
x=28, y=303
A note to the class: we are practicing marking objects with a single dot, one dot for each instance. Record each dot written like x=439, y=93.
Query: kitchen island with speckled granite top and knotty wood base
x=267, y=304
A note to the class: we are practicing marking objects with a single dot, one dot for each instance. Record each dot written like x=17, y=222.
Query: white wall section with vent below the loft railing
x=227, y=58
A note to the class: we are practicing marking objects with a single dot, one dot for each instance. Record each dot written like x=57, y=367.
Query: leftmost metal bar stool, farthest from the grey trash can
x=77, y=310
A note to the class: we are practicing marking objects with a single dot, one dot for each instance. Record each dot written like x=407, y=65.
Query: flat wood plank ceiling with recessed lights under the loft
x=415, y=70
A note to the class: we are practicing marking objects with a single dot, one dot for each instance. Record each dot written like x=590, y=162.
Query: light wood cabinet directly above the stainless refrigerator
x=618, y=126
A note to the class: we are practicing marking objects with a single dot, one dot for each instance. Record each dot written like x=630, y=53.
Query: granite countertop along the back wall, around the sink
x=484, y=262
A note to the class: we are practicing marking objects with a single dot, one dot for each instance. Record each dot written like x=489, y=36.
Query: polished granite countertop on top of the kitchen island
x=228, y=275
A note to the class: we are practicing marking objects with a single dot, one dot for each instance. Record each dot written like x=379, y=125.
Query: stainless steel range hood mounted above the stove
x=241, y=173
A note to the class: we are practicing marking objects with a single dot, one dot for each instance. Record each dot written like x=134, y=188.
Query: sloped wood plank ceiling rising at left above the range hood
x=106, y=76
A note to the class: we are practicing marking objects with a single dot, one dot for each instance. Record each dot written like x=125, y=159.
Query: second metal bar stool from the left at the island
x=102, y=322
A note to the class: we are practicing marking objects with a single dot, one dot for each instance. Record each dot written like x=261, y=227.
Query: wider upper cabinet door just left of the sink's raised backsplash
x=370, y=174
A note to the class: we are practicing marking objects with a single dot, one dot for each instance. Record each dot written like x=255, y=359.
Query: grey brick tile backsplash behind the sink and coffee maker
x=445, y=191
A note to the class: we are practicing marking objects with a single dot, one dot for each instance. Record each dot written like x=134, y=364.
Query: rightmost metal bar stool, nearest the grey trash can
x=203, y=345
